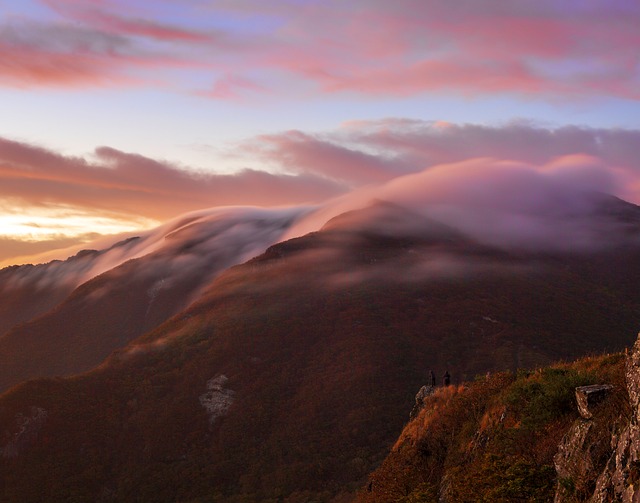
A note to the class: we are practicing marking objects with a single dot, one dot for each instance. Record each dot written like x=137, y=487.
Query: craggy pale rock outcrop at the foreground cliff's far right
x=619, y=479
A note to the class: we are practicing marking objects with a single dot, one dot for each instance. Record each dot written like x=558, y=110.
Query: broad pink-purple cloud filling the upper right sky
x=411, y=47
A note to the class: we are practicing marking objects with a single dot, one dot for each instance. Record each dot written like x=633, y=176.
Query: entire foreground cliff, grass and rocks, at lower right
x=565, y=433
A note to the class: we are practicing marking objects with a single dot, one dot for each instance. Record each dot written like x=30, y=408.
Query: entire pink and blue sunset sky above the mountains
x=121, y=114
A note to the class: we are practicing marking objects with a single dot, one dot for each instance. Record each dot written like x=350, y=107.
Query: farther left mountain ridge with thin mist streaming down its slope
x=62, y=324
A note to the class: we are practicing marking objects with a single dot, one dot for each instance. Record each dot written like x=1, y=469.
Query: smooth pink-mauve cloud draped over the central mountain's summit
x=506, y=204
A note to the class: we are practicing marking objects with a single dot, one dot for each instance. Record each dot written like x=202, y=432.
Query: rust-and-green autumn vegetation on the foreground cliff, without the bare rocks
x=493, y=440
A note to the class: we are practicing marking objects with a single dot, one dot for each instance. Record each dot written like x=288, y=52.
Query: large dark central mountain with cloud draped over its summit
x=291, y=374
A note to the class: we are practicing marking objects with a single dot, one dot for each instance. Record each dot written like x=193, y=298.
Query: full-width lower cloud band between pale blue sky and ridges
x=307, y=167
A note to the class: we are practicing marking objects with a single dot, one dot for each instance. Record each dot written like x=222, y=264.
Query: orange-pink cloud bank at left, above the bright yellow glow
x=131, y=183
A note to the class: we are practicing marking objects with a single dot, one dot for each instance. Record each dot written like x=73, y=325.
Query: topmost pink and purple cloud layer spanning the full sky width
x=400, y=48
